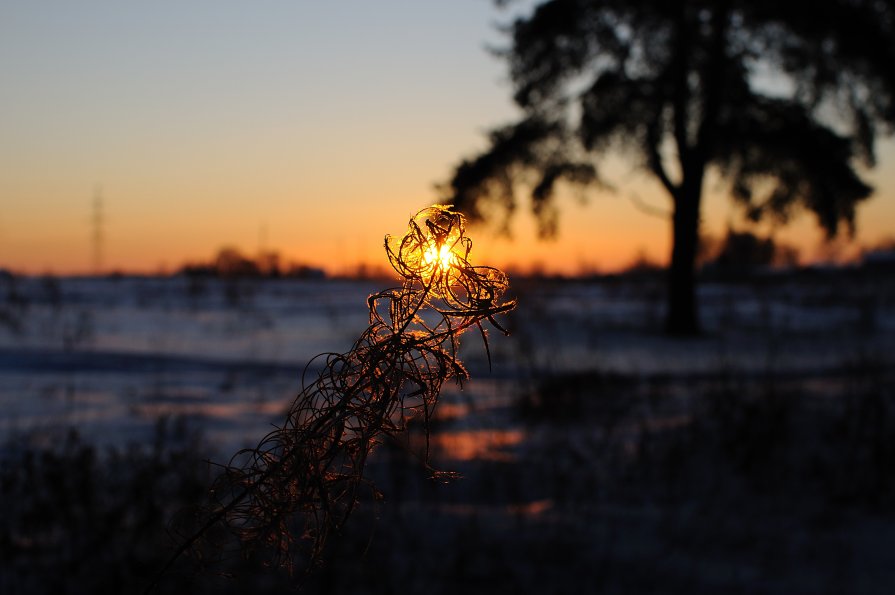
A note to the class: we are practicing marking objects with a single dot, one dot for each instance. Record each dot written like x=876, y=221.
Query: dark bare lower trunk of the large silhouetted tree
x=681, y=318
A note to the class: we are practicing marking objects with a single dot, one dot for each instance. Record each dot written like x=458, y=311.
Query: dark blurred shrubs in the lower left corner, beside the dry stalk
x=77, y=519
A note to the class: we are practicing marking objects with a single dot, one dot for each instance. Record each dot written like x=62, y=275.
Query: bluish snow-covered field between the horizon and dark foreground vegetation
x=109, y=356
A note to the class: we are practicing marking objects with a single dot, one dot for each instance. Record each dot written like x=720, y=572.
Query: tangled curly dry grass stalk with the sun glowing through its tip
x=301, y=483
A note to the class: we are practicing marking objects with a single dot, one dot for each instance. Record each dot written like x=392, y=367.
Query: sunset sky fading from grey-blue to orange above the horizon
x=310, y=128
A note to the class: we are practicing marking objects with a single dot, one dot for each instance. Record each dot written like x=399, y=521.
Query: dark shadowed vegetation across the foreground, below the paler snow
x=622, y=485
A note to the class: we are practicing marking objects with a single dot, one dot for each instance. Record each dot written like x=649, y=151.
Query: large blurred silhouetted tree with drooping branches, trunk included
x=780, y=99
